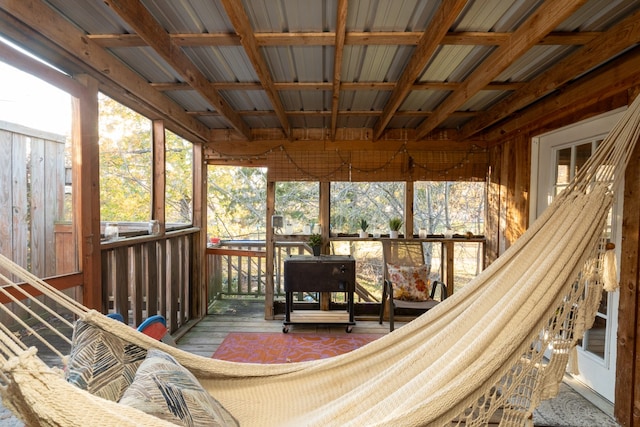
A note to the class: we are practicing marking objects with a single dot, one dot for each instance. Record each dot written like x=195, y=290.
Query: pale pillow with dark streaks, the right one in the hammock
x=165, y=389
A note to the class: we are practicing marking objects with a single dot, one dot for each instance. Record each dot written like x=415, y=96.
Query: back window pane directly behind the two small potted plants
x=376, y=202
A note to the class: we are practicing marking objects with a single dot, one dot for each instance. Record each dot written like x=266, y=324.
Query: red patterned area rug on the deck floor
x=259, y=347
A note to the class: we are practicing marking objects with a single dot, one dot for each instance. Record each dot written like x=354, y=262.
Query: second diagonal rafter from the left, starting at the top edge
x=136, y=15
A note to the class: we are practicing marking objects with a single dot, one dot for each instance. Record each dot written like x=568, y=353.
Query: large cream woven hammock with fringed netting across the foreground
x=496, y=348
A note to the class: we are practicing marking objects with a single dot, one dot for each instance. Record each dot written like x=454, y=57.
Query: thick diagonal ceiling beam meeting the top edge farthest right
x=540, y=23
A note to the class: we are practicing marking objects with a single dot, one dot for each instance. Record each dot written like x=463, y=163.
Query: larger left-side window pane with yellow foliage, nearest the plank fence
x=125, y=167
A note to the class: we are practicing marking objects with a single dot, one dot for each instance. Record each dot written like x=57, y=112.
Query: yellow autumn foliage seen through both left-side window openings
x=125, y=168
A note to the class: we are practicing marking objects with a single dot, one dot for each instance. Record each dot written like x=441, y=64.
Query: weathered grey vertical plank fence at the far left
x=32, y=178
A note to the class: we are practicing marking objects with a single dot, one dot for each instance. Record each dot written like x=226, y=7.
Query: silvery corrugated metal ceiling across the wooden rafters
x=382, y=38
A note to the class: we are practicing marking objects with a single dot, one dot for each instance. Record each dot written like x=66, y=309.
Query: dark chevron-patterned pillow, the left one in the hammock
x=102, y=363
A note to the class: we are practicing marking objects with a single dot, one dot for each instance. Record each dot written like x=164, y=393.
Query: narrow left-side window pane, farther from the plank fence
x=179, y=191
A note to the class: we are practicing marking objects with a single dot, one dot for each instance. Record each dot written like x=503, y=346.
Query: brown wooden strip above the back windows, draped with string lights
x=363, y=166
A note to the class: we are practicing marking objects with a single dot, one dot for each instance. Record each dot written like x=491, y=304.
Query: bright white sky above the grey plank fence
x=29, y=101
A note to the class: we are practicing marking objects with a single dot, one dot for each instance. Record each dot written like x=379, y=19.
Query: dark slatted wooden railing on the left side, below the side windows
x=147, y=275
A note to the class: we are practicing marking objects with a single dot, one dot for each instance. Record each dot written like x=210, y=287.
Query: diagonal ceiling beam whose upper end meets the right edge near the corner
x=616, y=39
